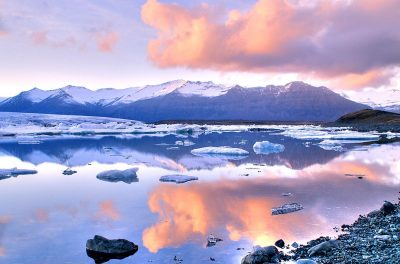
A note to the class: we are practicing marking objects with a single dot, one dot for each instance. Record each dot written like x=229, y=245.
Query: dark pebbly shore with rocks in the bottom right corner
x=374, y=238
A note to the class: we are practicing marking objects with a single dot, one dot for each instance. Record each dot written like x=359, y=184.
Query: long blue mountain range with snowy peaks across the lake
x=187, y=100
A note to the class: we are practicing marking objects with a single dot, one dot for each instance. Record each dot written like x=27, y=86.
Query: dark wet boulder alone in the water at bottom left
x=102, y=249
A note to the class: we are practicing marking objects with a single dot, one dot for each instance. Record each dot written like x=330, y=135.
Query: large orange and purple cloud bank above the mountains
x=330, y=39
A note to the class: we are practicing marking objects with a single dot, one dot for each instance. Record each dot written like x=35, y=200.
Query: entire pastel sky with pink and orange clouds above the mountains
x=350, y=46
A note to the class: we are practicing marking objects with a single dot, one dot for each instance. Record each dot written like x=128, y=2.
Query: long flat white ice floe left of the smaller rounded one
x=223, y=152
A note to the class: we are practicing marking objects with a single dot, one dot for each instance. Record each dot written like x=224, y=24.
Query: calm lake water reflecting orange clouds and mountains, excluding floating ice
x=47, y=217
